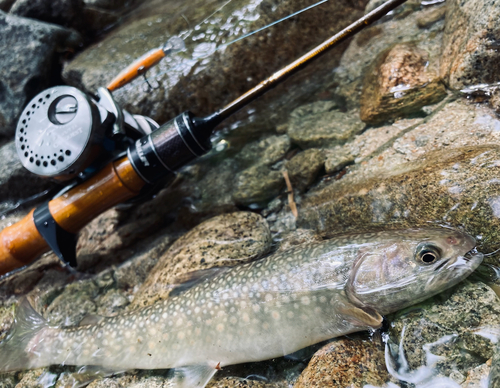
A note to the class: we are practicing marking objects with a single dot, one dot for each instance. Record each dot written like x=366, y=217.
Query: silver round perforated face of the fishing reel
x=59, y=133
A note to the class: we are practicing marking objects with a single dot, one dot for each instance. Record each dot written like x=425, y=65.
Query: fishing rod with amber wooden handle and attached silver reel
x=70, y=118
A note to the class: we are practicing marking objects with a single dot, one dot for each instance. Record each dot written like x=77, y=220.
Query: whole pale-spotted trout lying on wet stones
x=257, y=311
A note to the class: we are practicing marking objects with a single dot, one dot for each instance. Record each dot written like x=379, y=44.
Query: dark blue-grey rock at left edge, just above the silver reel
x=24, y=72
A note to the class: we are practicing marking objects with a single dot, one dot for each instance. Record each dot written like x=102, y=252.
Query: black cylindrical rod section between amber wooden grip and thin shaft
x=169, y=148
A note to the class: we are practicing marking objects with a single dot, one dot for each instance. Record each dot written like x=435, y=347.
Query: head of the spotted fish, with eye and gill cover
x=410, y=266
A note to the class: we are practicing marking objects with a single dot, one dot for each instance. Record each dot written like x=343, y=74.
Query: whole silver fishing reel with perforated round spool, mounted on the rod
x=62, y=131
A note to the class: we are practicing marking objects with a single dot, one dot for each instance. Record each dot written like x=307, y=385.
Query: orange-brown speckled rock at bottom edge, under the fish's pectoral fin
x=346, y=362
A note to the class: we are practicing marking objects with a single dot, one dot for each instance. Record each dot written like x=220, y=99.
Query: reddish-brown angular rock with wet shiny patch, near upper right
x=400, y=83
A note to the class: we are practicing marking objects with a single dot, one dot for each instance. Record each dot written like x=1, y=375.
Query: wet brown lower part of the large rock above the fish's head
x=457, y=188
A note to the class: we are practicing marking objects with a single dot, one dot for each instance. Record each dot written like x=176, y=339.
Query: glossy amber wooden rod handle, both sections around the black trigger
x=21, y=243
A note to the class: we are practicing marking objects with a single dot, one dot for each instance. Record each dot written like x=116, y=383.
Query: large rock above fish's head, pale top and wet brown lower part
x=444, y=186
